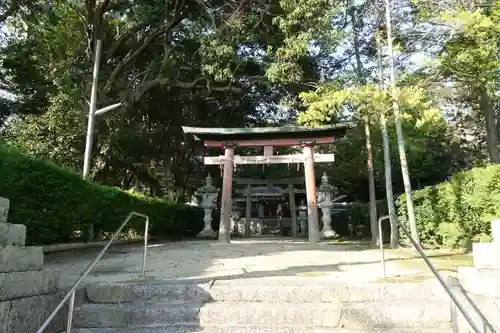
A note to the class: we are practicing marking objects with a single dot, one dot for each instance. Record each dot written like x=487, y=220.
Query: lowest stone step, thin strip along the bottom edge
x=254, y=329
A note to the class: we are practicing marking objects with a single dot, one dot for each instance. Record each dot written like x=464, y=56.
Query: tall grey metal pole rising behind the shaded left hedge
x=90, y=126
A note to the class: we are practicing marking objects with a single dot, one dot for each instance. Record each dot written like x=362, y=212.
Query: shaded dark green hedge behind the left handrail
x=56, y=205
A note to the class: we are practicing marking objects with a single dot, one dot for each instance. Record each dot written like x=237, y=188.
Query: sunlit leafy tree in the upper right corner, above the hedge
x=466, y=45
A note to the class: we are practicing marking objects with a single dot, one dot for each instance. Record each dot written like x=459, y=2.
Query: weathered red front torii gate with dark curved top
x=268, y=138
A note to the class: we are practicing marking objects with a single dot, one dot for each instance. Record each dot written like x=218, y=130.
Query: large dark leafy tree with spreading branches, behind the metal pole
x=206, y=57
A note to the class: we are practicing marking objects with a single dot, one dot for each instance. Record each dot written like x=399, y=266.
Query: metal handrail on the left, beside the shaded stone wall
x=70, y=295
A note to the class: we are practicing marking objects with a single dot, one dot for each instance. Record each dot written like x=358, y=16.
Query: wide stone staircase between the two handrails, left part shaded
x=300, y=306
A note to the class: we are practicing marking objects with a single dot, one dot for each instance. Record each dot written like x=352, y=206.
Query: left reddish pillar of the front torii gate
x=226, y=200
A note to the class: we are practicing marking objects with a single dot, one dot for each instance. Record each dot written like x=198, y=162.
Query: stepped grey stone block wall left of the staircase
x=28, y=293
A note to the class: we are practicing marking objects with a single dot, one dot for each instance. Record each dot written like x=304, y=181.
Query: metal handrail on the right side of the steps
x=431, y=266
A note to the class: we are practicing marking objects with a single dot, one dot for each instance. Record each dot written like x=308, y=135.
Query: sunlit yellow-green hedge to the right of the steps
x=458, y=211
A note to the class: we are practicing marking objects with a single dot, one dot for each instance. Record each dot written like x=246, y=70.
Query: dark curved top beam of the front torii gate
x=258, y=133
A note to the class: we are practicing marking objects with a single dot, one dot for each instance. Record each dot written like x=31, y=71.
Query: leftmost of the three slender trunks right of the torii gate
x=369, y=153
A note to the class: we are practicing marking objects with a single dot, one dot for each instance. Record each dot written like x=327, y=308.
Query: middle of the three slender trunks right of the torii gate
x=387, y=155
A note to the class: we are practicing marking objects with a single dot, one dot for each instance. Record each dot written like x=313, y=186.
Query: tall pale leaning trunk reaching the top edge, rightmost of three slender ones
x=399, y=128
